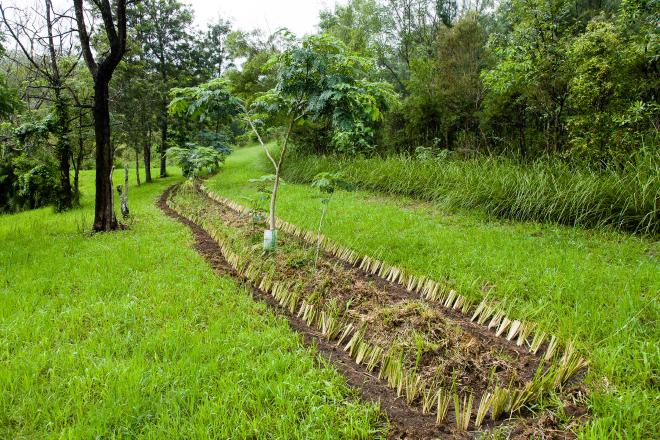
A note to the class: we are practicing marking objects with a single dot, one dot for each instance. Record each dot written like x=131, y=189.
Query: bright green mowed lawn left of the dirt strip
x=132, y=335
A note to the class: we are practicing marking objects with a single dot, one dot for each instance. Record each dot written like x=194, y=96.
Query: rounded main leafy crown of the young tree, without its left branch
x=326, y=87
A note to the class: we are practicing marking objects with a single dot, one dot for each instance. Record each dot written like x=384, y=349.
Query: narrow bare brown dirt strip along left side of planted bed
x=405, y=422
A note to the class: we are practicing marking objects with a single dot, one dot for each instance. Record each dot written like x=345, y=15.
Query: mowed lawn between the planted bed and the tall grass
x=598, y=288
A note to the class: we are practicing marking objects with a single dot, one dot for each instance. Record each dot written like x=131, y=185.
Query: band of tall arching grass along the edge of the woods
x=625, y=198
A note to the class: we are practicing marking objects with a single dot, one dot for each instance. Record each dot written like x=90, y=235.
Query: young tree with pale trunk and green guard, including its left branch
x=318, y=78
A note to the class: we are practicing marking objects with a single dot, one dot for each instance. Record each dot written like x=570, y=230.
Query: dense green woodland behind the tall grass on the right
x=531, y=78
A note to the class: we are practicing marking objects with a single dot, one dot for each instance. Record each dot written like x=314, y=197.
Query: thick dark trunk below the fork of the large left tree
x=104, y=215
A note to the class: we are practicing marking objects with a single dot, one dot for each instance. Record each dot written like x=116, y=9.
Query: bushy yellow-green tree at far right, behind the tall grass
x=605, y=123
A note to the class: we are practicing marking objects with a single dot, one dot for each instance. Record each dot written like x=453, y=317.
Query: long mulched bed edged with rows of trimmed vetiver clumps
x=349, y=319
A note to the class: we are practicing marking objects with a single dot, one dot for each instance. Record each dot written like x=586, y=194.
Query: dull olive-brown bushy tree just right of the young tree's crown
x=440, y=108
